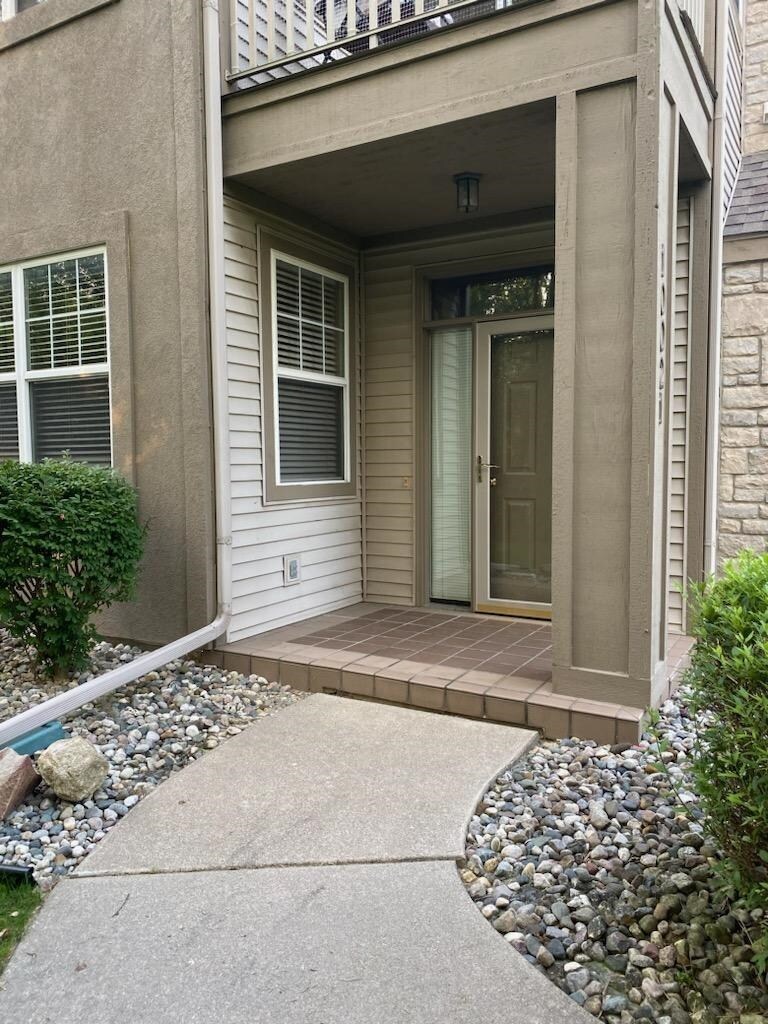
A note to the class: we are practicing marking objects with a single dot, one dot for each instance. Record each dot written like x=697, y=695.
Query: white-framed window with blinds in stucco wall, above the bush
x=55, y=385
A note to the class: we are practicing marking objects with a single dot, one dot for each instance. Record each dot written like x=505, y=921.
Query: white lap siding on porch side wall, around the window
x=326, y=536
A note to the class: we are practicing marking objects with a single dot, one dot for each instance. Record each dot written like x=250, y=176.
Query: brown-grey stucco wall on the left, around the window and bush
x=102, y=125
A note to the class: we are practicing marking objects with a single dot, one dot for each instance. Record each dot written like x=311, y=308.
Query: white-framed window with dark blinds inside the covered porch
x=312, y=372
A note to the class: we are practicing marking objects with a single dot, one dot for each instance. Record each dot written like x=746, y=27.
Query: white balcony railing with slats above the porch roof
x=268, y=45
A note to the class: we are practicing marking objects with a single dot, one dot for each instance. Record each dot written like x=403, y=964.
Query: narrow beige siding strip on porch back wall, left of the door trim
x=390, y=433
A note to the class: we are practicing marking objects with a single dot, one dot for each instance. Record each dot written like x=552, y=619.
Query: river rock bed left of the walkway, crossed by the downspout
x=147, y=732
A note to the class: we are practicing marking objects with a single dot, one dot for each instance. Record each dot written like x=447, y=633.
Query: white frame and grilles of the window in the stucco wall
x=22, y=377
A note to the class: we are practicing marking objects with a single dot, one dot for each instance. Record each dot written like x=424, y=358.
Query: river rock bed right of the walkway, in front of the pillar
x=595, y=867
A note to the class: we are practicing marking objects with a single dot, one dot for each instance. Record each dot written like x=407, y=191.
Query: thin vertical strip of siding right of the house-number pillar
x=679, y=422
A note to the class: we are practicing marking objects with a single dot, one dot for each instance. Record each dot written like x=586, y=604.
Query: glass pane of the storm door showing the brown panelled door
x=521, y=489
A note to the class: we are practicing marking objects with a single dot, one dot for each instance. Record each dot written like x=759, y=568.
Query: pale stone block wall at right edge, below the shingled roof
x=744, y=421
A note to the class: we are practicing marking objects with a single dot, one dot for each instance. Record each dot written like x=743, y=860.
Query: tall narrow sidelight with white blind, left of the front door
x=451, y=352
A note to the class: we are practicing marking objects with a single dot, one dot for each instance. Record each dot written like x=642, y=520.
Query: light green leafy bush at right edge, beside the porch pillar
x=730, y=695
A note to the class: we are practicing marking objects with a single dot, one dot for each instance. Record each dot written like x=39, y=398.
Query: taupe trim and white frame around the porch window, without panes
x=271, y=248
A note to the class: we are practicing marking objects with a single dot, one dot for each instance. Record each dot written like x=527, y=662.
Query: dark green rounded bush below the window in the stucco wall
x=70, y=545
